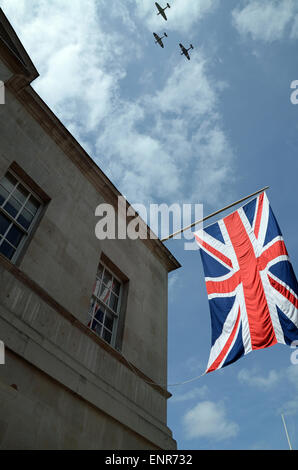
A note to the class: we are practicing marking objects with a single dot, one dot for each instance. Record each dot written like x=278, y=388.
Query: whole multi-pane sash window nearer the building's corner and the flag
x=104, y=308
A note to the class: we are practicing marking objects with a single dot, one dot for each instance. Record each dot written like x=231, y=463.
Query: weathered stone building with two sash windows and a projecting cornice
x=84, y=321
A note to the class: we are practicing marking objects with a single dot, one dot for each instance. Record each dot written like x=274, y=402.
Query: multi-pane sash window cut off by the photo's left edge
x=19, y=209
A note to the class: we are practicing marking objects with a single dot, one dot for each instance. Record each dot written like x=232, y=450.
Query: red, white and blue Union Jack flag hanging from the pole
x=252, y=288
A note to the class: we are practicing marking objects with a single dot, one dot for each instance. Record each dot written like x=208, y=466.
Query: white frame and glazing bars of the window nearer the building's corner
x=97, y=300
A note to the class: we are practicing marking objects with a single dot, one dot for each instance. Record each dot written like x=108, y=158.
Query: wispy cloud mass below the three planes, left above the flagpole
x=171, y=141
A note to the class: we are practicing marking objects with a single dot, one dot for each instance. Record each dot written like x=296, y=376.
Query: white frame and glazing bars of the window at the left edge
x=27, y=233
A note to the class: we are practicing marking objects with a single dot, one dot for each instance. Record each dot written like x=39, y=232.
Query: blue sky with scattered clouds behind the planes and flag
x=208, y=131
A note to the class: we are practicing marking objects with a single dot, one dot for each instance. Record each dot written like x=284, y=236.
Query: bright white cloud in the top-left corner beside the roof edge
x=80, y=65
